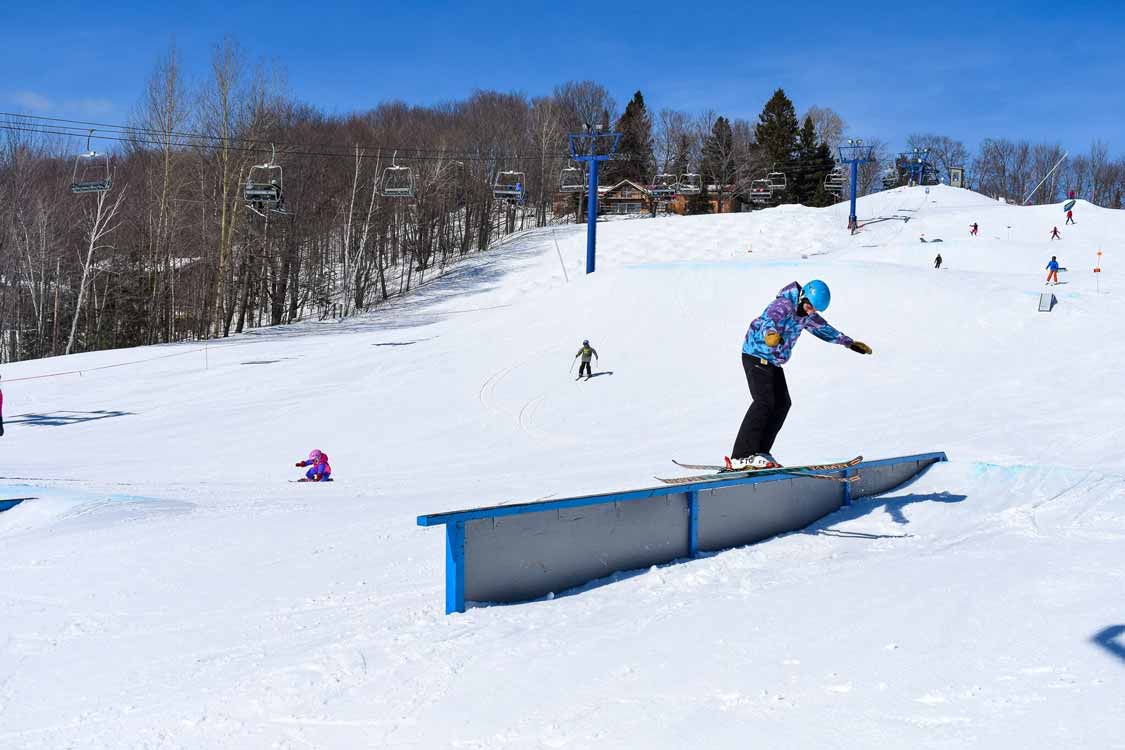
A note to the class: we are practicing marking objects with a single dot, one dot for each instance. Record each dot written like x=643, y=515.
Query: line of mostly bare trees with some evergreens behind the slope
x=170, y=252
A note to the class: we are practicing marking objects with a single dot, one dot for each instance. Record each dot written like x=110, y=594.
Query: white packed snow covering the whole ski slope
x=169, y=589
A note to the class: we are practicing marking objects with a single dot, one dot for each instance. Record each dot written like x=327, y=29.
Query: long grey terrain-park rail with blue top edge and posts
x=524, y=552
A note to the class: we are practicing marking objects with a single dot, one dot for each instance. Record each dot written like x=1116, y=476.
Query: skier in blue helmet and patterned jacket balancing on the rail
x=768, y=346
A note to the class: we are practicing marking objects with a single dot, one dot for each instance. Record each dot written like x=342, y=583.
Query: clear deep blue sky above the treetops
x=1016, y=69
